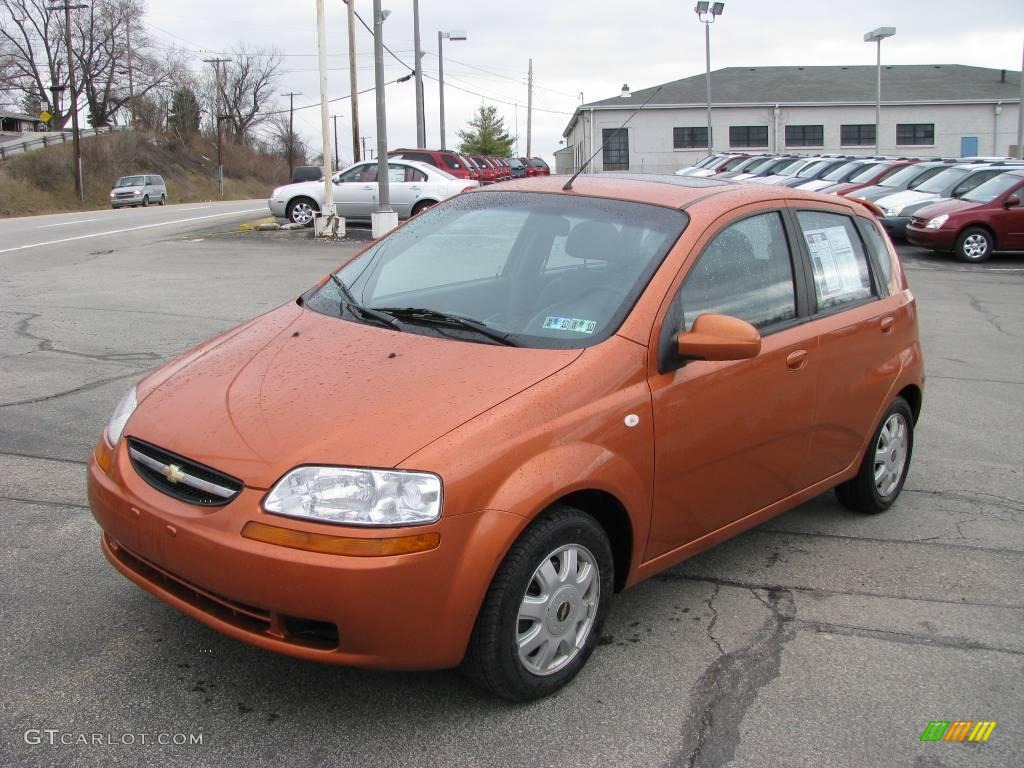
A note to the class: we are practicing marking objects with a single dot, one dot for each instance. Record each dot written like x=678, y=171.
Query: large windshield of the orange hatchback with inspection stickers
x=546, y=272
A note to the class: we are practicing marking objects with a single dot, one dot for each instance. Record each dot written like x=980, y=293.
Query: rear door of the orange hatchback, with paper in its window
x=862, y=332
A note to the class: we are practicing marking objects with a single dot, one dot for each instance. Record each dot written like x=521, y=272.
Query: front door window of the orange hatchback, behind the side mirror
x=746, y=272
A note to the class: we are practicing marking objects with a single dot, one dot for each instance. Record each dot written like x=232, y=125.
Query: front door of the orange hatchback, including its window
x=731, y=438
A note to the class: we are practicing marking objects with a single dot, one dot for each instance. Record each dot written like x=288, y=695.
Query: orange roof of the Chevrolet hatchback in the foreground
x=672, y=191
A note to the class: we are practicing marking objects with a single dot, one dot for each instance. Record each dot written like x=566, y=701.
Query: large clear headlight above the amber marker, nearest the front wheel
x=357, y=497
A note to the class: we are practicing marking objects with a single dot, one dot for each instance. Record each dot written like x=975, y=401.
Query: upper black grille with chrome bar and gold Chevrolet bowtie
x=182, y=479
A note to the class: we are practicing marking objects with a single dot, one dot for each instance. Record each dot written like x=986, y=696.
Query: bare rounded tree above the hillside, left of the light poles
x=247, y=83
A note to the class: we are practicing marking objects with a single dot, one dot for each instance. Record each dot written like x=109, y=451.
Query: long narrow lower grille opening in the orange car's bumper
x=307, y=632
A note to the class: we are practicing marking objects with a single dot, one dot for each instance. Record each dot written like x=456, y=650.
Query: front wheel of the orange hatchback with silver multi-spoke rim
x=543, y=600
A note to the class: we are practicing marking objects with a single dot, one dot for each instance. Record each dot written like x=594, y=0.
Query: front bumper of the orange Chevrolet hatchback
x=403, y=612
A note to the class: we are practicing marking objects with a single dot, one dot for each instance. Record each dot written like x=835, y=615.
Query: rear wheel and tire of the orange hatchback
x=886, y=462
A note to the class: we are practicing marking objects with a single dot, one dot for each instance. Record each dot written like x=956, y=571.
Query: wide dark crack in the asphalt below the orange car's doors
x=731, y=685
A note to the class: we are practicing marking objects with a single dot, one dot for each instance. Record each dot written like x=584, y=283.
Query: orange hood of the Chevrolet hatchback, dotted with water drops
x=295, y=388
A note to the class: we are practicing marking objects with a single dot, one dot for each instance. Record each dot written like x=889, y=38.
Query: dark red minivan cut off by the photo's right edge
x=988, y=219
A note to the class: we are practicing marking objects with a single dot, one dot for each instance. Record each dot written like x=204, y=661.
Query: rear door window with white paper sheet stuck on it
x=838, y=261
